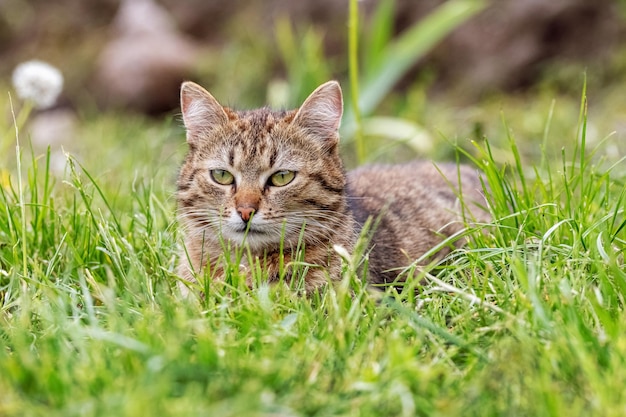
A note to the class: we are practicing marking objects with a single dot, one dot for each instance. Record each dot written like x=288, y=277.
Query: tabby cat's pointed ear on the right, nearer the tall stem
x=321, y=112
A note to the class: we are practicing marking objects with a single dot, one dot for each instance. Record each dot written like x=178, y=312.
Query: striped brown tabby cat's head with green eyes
x=258, y=176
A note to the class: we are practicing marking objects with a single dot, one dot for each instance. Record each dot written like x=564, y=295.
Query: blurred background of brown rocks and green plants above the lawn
x=475, y=62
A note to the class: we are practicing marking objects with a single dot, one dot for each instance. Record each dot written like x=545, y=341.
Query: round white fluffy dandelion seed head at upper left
x=38, y=82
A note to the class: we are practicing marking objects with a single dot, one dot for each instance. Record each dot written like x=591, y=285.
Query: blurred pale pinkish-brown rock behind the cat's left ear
x=142, y=66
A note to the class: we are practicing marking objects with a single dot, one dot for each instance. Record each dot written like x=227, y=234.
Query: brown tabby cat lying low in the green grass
x=268, y=180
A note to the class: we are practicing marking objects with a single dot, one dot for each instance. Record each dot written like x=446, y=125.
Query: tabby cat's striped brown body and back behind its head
x=415, y=204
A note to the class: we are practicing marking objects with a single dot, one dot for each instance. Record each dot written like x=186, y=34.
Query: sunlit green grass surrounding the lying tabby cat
x=526, y=320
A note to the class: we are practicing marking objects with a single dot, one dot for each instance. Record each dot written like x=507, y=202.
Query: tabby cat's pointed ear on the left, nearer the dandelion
x=201, y=112
